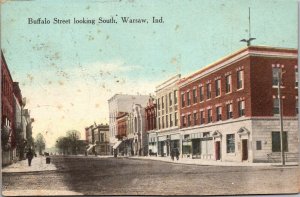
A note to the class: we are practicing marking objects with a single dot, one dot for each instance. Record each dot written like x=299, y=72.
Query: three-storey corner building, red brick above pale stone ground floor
x=229, y=109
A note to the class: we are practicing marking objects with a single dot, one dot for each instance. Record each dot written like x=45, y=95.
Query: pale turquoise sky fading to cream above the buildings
x=67, y=72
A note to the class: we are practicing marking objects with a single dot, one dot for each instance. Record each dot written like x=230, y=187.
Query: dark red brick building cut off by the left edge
x=8, y=140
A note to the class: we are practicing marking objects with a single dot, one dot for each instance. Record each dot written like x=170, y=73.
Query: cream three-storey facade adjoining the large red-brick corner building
x=167, y=135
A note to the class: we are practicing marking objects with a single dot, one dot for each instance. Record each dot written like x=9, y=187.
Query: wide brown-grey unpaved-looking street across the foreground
x=126, y=176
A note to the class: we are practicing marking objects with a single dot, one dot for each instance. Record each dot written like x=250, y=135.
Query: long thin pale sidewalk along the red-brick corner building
x=210, y=162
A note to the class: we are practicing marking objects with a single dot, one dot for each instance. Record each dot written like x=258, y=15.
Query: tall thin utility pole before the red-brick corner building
x=280, y=117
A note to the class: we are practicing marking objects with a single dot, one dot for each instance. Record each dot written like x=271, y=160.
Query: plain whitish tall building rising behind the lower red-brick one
x=121, y=103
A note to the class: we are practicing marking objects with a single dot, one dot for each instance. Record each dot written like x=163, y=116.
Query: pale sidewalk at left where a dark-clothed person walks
x=37, y=164
